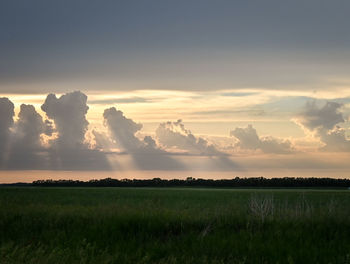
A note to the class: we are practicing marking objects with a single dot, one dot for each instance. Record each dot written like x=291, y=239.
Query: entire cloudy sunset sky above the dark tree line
x=174, y=89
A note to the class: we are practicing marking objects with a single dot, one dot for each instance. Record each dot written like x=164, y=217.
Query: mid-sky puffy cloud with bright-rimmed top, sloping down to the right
x=175, y=135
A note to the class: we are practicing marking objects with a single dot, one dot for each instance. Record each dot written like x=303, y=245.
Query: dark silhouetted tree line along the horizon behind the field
x=258, y=182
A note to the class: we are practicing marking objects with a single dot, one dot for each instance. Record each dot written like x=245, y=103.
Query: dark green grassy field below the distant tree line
x=150, y=225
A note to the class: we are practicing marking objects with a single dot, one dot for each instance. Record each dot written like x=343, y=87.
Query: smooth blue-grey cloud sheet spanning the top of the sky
x=45, y=41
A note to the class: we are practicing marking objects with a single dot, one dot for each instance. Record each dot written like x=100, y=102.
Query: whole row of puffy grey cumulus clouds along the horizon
x=60, y=140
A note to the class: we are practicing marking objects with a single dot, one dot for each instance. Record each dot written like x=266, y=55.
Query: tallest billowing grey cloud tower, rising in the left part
x=69, y=114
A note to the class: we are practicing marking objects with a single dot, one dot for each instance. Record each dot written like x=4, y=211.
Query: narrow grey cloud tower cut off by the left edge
x=6, y=122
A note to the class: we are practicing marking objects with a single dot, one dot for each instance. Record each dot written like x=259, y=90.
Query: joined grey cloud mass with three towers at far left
x=21, y=142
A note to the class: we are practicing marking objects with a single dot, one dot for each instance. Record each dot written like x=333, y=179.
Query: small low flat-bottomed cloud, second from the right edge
x=249, y=139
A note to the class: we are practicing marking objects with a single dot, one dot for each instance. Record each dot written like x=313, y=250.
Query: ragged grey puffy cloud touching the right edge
x=322, y=123
